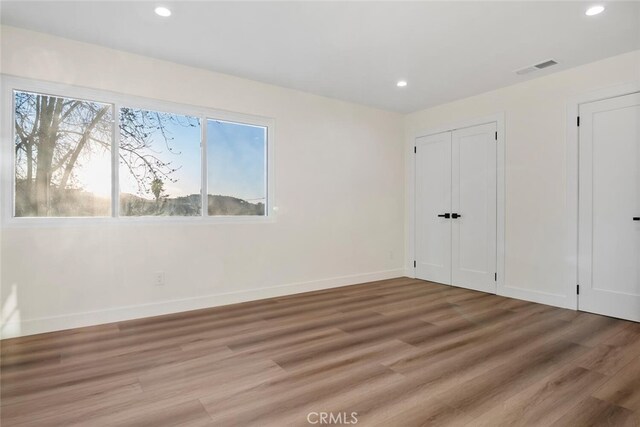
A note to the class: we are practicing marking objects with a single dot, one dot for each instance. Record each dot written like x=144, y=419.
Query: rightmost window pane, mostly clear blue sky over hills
x=236, y=165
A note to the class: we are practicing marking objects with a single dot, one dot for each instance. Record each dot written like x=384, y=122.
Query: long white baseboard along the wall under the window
x=76, y=320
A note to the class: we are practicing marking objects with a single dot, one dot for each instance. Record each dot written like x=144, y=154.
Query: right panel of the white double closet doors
x=474, y=202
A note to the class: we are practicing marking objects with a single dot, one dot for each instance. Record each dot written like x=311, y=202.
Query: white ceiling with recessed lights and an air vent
x=354, y=51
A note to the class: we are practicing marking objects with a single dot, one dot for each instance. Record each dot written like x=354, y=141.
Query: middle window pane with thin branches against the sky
x=159, y=164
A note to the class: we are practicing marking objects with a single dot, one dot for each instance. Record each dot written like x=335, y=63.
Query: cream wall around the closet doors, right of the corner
x=538, y=264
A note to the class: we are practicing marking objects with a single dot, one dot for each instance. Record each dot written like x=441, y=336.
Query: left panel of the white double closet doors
x=433, y=201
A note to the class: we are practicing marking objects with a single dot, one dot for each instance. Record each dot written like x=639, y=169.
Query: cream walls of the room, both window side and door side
x=341, y=175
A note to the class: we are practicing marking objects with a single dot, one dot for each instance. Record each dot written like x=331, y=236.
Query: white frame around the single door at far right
x=572, y=199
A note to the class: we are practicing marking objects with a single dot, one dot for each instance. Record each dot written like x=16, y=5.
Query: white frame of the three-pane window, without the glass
x=9, y=84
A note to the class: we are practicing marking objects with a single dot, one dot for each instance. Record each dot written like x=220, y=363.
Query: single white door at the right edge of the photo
x=609, y=207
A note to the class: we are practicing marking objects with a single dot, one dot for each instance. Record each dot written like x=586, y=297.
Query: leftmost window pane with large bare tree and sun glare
x=63, y=156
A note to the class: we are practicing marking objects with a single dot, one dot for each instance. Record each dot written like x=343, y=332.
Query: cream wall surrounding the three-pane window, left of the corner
x=338, y=184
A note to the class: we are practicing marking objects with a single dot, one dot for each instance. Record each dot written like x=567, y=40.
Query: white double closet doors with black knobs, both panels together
x=455, y=214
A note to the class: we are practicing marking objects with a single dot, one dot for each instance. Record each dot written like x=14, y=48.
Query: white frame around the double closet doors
x=499, y=119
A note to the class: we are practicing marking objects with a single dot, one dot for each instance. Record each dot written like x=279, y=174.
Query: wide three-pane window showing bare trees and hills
x=84, y=153
